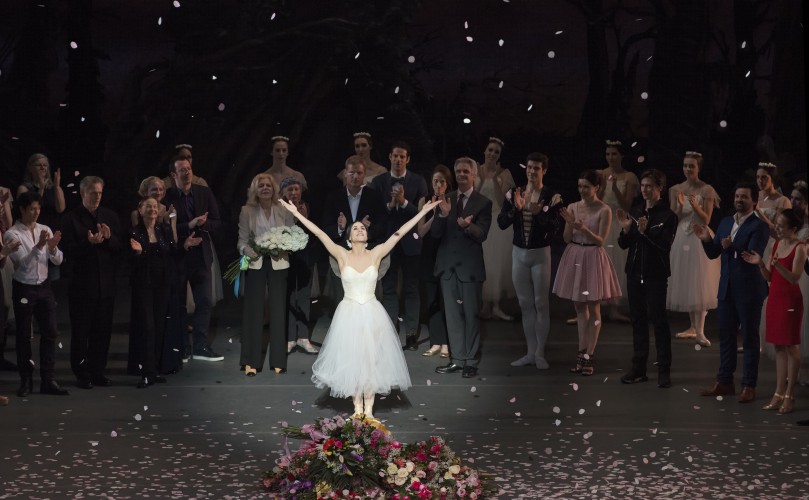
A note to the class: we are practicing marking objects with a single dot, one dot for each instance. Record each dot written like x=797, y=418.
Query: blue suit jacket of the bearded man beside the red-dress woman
x=745, y=279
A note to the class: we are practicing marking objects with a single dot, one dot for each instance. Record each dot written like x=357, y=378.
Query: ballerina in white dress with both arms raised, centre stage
x=361, y=355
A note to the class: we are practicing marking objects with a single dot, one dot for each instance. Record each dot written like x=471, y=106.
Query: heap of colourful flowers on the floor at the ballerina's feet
x=357, y=458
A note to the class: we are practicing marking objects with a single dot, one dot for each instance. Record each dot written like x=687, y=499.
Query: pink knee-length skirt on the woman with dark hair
x=586, y=274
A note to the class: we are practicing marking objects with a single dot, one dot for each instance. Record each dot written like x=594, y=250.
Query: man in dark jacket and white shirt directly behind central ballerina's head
x=352, y=203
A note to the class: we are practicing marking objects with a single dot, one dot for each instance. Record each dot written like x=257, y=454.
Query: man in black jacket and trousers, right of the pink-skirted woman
x=648, y=233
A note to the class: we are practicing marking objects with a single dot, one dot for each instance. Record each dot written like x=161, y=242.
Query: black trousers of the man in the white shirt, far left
x=35, y=301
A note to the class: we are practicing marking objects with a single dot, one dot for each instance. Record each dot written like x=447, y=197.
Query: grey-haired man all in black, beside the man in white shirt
x=92, y=241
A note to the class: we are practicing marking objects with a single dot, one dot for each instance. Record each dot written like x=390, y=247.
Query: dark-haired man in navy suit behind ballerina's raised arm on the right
x=404, y=191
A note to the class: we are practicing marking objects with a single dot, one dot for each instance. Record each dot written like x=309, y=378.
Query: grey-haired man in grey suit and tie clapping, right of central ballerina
x=462, y=225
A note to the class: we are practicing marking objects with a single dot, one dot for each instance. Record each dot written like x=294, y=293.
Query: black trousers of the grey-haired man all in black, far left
x=91, y=330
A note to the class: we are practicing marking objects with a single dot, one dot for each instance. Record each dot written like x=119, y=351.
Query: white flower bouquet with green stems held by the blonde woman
x=275, y=245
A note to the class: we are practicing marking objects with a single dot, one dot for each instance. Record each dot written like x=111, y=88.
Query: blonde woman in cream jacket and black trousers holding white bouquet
x=265, y=277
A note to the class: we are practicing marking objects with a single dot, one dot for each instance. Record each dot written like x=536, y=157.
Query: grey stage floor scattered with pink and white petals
x=210, y=431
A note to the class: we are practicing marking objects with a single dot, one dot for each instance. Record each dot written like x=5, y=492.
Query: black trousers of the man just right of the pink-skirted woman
x=647, y=300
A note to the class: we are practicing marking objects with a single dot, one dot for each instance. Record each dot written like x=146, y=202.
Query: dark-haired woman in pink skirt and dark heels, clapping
x=586, y=274
